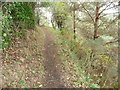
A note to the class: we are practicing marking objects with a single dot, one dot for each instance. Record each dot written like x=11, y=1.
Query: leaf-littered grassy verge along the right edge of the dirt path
x=74, y=75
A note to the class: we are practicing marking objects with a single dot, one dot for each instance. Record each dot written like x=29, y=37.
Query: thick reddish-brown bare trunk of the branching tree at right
x=96, y=21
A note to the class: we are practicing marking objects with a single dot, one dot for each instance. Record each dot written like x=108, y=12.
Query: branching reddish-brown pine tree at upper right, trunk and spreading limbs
x=97, y=15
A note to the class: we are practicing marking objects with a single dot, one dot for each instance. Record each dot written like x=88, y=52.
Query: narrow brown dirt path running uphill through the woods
x=52, y=62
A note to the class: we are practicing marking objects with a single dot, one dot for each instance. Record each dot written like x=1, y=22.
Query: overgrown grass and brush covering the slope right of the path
x=88, y=64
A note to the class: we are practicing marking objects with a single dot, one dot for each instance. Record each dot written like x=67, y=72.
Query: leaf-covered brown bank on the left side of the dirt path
x=23, y=63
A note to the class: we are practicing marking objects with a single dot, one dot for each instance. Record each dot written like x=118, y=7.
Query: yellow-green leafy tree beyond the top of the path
x=60, y=14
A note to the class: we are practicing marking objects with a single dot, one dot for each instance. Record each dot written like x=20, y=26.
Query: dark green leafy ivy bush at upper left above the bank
x=16, y=16
